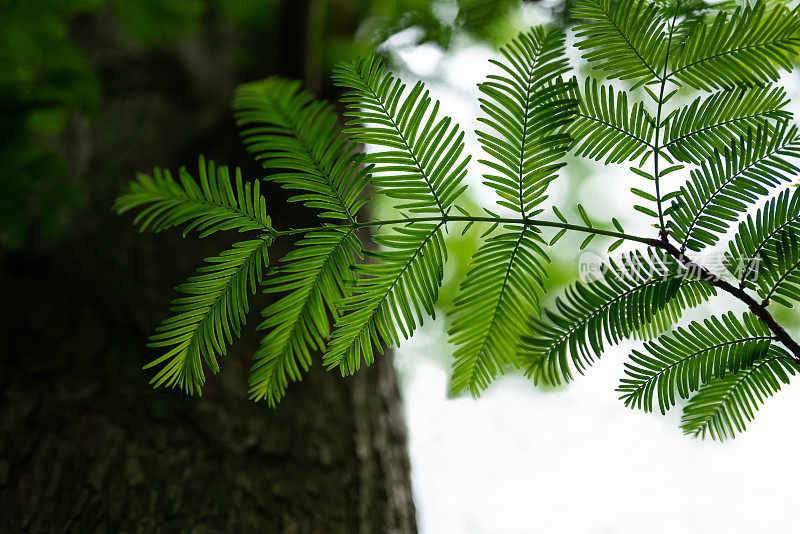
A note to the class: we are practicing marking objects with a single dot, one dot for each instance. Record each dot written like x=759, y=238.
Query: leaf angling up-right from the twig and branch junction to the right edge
x=722, y=188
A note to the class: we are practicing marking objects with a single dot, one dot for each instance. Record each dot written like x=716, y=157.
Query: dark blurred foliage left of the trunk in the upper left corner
x=44, y=76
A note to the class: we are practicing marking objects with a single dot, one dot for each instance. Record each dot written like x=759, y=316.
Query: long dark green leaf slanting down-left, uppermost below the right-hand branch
x=621, y=303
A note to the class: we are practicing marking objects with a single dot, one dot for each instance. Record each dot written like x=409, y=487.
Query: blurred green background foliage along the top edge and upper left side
x=48, y=82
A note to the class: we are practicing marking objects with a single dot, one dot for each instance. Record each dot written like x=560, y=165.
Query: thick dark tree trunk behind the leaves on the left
x=85, y=444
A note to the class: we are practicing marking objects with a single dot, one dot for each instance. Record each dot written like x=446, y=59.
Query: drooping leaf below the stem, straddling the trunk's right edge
x=390, y=297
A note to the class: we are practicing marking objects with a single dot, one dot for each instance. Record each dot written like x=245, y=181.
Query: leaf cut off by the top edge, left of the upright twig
x=625, y=39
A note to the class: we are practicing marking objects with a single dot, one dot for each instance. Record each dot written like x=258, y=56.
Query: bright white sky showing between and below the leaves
x=521, y=460
